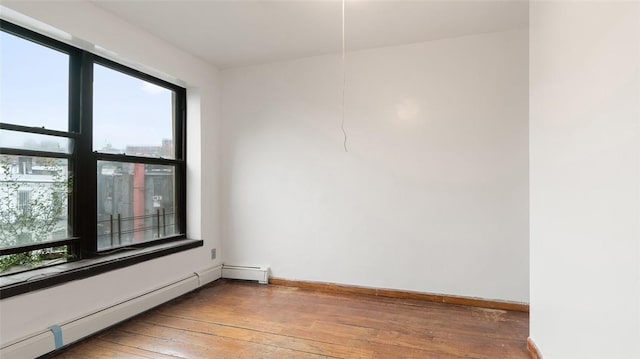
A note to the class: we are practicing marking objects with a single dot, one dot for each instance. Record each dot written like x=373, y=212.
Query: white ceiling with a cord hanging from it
x=233, y=33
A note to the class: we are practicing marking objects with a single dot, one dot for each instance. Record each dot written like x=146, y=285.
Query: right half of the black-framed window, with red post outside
x=136, y=167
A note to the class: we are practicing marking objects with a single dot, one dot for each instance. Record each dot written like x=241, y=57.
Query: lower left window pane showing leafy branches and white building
x=34, y=200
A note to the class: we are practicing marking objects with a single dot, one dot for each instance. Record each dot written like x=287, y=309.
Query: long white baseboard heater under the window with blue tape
x=62, y=334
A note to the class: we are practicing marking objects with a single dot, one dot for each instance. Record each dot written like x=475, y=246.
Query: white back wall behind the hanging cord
x=433, y=193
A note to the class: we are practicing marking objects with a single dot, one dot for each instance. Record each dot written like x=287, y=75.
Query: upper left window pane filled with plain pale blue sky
x=33, y=74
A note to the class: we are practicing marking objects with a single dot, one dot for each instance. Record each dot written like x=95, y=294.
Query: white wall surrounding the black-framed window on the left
x=89, y=26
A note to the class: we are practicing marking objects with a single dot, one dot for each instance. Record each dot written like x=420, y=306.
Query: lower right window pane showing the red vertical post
x=136, y=203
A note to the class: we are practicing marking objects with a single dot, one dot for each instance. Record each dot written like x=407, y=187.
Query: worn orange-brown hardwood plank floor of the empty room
x=231, y=319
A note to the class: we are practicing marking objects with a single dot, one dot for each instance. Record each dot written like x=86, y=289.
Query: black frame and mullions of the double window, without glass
x=82, y=160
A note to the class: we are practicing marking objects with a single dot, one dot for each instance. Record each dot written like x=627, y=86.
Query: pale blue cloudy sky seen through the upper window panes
x=34, y=92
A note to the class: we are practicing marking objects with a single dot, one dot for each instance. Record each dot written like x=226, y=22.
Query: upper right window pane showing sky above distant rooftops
x=131, y=116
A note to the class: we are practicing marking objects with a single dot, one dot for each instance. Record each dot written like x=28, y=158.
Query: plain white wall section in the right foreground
x=585, y=179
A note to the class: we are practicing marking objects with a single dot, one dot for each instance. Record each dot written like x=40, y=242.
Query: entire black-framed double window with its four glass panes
x=92, y=155
